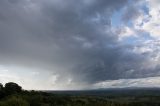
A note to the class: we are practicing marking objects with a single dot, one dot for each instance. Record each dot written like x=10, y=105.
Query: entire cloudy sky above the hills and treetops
x=80, y=44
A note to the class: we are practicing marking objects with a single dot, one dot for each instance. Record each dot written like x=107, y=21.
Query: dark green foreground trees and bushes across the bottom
x=13, y=95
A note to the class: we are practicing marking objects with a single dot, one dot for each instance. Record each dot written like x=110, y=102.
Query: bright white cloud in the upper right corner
x=150, y=22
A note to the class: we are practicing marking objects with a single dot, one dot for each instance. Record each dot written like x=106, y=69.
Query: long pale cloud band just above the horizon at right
x=142, y=82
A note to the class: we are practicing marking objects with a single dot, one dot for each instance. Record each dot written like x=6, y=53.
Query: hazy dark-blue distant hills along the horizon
x=112, y=92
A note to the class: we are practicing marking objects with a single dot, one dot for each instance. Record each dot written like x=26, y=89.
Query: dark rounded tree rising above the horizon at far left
x=11, y=88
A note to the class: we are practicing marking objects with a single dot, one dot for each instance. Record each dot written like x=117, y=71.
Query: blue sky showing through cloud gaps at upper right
x=117, y=22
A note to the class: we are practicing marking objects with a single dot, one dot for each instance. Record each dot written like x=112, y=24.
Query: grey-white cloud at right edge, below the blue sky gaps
x=150, y=49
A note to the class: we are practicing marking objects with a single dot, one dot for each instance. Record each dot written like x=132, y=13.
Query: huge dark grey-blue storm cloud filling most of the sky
x=72, y=39
